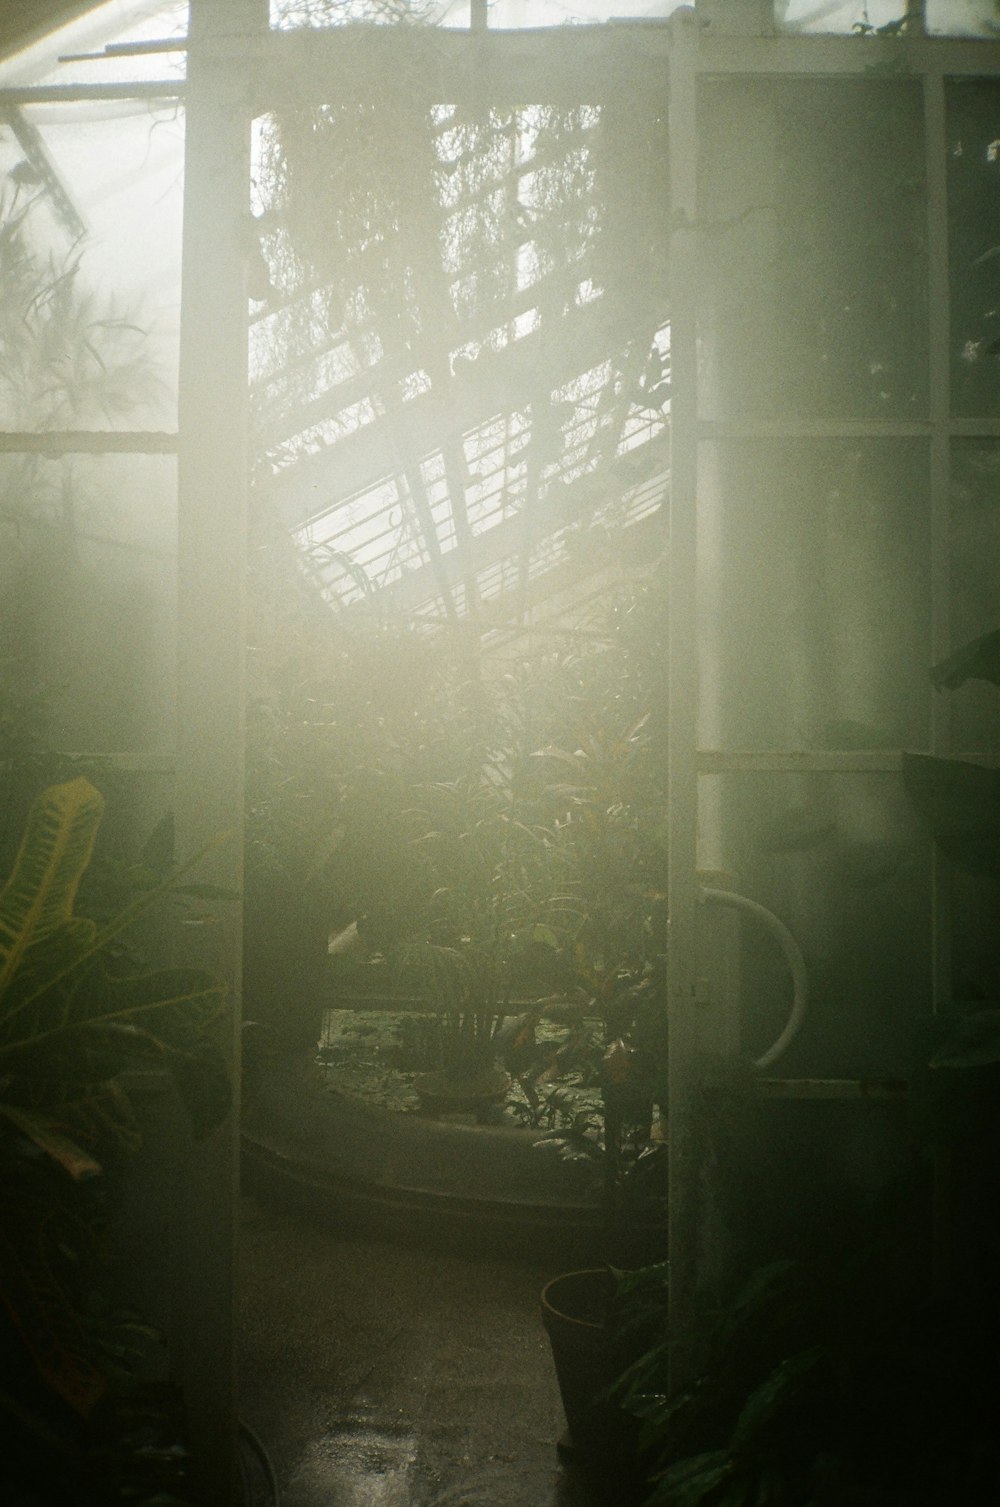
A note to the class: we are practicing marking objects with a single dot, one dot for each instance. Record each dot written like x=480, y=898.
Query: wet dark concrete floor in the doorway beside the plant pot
x=385, y=1375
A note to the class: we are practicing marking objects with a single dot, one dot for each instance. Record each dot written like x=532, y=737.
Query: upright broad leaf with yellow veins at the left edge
x=40, y=894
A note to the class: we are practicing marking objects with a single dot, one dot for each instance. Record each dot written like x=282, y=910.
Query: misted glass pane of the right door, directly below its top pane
x=814, y=585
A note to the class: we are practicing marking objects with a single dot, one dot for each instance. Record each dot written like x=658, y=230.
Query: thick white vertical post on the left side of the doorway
x=213, y=554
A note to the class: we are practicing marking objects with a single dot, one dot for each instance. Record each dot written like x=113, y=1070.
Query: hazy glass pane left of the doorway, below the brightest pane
x=88, y=585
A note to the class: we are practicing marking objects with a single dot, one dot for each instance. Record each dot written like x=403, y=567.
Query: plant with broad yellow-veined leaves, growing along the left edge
x=75, y=1018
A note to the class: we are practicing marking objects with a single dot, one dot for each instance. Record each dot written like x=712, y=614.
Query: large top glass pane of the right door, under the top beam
x=811, y=210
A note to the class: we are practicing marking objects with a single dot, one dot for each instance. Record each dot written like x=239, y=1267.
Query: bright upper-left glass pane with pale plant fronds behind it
x=90, y=266
